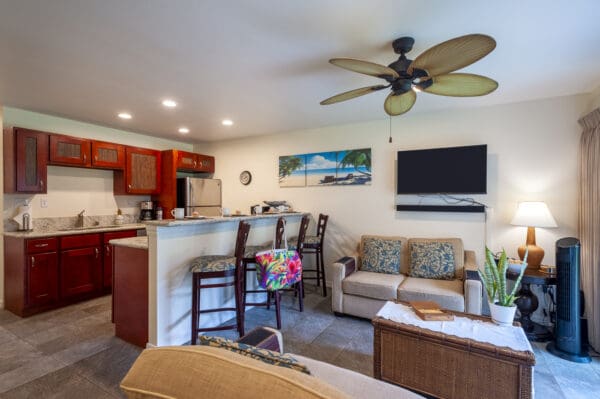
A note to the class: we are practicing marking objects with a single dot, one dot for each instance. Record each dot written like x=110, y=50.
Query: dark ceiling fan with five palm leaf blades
x=430, y=72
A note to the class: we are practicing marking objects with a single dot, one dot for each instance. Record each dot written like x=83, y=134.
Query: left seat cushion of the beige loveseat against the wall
x=373, y=285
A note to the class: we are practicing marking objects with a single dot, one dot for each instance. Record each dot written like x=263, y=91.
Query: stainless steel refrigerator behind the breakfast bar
x=199, y=195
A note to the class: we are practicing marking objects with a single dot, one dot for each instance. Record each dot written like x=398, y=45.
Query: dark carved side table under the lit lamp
x=527, y=303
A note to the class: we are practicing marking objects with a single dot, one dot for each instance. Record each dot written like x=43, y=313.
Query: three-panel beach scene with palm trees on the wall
x=348, y=167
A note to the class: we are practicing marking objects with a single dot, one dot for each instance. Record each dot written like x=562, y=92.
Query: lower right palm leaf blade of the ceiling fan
x=461, y=85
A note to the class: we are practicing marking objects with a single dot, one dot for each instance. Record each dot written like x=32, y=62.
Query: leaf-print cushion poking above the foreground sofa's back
x=264, y=355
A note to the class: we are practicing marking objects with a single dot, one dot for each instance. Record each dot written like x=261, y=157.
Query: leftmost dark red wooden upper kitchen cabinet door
x=31, y=160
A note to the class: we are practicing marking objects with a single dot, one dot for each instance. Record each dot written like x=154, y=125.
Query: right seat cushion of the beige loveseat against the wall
x=447, y=293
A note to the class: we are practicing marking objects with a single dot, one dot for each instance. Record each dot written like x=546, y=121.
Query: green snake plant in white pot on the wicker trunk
x=493, y=276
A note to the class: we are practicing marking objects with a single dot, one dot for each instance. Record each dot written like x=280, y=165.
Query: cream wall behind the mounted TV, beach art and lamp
x=532, y=155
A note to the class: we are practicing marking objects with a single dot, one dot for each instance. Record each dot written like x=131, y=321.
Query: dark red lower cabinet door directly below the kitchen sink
x=80, y=271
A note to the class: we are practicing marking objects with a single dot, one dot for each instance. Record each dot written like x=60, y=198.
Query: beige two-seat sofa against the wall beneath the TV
x=363, y=293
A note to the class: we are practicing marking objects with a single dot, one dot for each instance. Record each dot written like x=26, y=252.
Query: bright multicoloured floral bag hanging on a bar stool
x=278, y=269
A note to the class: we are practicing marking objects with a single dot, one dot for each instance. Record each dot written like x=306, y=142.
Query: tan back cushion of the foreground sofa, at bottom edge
x=190, y=372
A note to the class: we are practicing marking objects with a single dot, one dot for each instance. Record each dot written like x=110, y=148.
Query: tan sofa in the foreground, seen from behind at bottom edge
x=190, y=372
